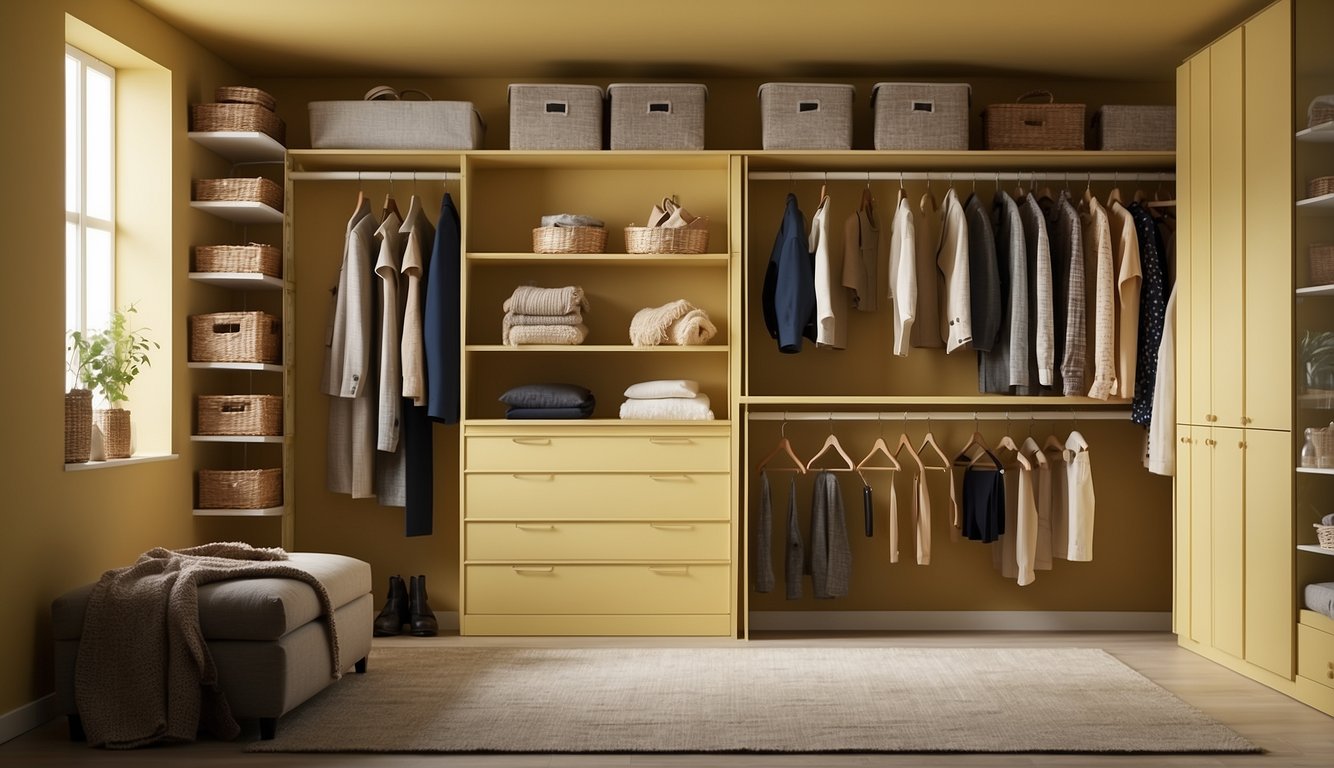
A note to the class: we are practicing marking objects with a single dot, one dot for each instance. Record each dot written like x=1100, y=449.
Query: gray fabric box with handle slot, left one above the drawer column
x=553, y=117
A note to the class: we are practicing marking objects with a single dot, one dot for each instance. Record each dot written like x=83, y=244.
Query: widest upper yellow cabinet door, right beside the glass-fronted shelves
x=1269, y=221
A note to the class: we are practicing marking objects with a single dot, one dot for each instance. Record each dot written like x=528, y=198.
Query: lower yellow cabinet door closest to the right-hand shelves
x=1269, y=550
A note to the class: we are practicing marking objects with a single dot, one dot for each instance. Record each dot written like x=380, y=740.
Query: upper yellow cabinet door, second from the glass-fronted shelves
x=1228, y=189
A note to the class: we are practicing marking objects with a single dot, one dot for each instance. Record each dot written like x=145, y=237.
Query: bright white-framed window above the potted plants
x=90, y=191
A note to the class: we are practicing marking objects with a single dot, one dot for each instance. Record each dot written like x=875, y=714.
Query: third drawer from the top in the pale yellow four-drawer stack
x=648, y=541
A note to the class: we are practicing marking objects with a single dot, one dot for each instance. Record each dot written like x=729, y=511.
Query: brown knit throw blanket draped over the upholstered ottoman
x=145, y=673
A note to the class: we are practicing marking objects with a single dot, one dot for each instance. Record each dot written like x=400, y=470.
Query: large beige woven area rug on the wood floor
x=748, y=701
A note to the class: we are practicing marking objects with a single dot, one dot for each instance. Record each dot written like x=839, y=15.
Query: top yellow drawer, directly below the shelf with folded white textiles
x=665, y=453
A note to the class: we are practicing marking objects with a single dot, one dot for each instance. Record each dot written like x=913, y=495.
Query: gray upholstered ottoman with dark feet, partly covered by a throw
x=269, y=643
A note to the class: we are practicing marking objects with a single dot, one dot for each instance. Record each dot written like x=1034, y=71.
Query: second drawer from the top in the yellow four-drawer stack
x=640, y=497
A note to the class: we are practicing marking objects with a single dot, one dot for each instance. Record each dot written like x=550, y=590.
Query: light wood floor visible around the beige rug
x=1292, y=734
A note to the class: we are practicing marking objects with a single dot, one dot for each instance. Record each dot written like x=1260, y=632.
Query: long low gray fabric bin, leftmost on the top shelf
x=396, y=126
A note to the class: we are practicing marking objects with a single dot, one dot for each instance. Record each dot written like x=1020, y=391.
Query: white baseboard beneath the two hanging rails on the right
x=962, y=621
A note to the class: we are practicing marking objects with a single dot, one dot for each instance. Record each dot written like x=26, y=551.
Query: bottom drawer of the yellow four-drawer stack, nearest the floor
x=598, y=589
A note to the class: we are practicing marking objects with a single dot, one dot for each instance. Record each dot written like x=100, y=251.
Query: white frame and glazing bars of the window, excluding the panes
x=77, y=259
